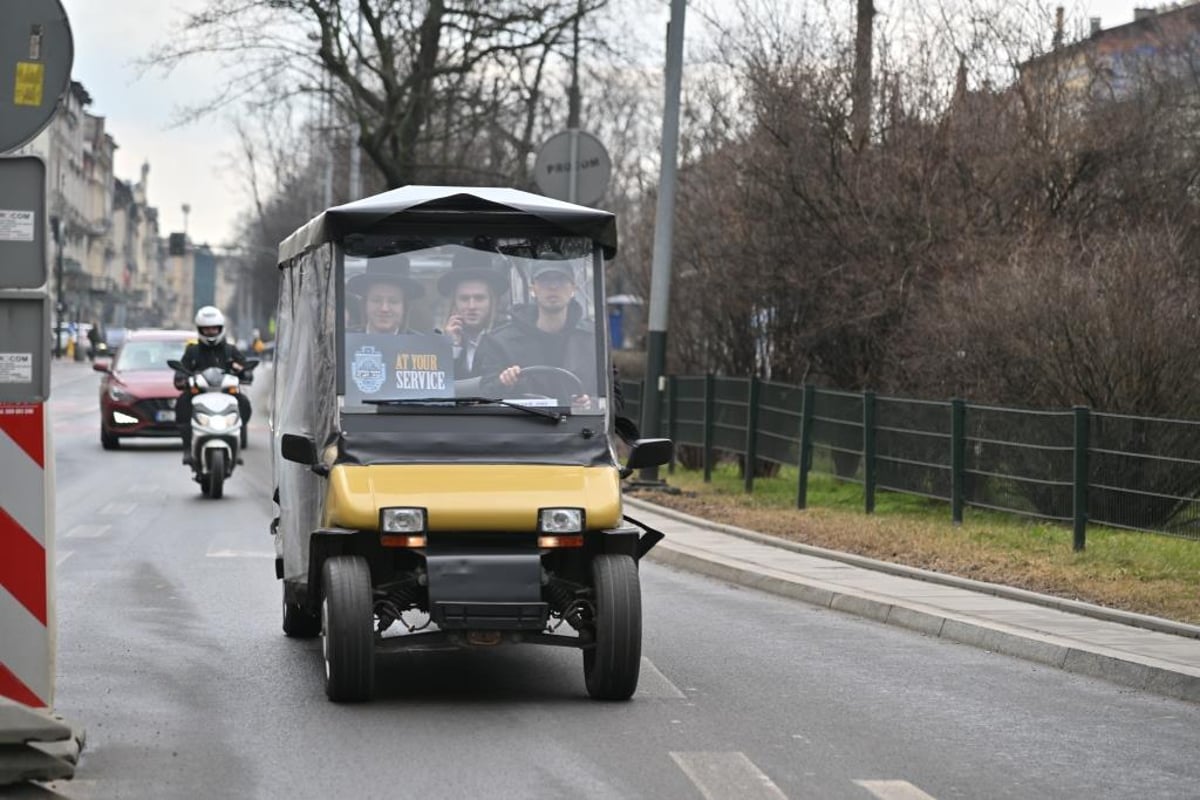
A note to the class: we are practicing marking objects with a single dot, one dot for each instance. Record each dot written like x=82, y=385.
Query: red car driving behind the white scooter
x=137, y=394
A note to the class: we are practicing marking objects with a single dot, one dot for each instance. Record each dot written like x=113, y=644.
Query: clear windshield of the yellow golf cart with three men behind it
x=506, y=320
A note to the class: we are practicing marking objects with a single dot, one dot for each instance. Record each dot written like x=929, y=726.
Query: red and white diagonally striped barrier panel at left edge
x=27, y=607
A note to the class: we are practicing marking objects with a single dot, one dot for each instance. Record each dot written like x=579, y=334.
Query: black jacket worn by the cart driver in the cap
x=520, y=342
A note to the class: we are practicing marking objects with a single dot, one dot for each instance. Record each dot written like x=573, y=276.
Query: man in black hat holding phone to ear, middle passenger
x=475, y=291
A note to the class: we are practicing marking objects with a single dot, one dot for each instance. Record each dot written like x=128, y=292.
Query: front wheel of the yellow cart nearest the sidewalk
x=613, y=666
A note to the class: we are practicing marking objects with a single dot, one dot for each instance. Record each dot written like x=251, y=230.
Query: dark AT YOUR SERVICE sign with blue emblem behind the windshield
x=385, y=366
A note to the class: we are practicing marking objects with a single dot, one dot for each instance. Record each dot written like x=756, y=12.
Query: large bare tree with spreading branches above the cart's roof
x=419, y=76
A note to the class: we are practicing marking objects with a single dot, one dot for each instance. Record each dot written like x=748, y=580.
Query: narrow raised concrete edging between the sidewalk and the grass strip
x=1011, y=593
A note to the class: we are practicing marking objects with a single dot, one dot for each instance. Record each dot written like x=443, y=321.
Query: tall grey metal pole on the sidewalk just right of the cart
x=664, y=222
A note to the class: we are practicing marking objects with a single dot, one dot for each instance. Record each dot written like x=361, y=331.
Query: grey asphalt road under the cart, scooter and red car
x=171, y=655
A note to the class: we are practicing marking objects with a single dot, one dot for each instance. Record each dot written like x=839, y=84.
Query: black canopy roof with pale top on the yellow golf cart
x=364, y=216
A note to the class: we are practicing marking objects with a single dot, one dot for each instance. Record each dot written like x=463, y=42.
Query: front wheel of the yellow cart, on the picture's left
x=347, y=625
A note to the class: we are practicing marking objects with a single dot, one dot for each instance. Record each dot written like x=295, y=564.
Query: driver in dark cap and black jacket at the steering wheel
x=550, y=333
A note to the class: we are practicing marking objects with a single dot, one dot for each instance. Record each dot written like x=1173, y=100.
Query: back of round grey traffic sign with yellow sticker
x=37, y=52
